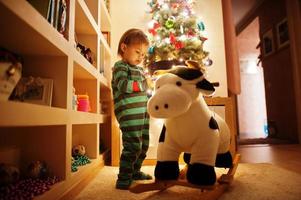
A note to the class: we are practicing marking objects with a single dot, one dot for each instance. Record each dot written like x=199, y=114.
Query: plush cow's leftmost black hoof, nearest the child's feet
x=167, y=170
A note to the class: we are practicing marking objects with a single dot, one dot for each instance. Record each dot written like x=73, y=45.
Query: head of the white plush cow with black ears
x=176, y=90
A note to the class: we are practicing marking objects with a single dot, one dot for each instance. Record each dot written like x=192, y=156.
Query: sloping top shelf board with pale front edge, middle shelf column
x=84, y=21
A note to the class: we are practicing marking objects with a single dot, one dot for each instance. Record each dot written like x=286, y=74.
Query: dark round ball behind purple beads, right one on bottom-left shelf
x=37, y=169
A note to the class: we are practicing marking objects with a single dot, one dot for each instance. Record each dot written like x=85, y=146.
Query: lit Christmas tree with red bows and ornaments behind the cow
x=175, y=34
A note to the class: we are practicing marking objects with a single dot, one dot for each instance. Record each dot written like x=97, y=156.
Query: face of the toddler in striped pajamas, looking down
x=134, y=53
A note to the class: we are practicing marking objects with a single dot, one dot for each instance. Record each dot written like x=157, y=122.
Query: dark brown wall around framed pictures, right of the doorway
x=279, y=85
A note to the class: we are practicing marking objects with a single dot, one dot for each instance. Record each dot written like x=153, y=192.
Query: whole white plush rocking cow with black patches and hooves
x=189, y=127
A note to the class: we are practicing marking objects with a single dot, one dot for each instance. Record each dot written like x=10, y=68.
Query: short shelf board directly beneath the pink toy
x=78, y=117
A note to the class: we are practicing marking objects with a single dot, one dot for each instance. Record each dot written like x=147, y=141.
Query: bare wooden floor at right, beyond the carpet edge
x=287, y=156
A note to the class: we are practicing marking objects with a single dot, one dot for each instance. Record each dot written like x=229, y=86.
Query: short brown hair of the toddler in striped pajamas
x=132, y=36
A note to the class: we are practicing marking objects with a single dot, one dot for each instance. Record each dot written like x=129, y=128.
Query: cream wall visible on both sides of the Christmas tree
x=133, y=14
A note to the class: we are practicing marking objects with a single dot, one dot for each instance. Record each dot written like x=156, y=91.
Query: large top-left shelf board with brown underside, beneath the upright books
x=32, y=34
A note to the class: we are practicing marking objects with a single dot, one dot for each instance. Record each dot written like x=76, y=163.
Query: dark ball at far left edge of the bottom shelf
x=8, y=174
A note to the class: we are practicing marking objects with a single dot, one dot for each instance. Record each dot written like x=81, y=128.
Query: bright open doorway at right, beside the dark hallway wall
x=251, y=103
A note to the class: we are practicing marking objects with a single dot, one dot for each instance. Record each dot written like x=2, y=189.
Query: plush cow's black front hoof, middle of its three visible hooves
x=201, y=174
